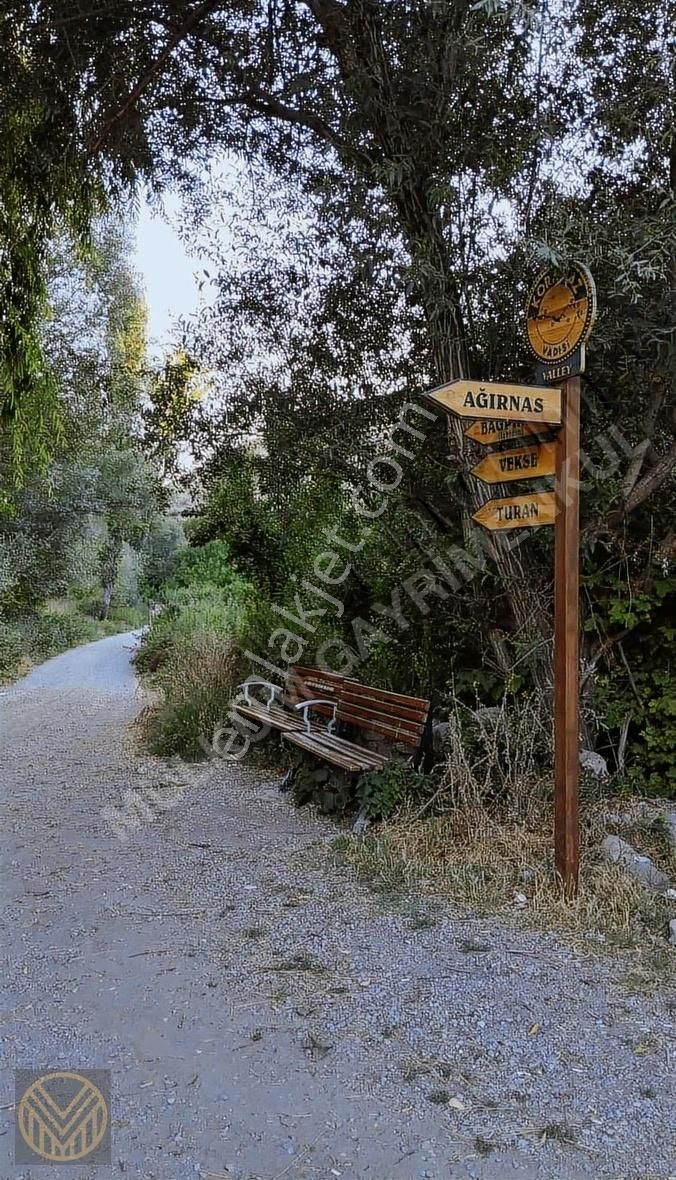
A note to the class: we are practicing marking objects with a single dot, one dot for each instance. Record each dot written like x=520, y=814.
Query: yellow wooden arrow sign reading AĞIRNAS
x=488, y=399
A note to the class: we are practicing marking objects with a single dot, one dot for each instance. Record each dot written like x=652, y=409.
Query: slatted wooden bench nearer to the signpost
x=401, y=719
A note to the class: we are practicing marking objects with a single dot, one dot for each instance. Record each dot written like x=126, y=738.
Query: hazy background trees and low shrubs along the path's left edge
x=84, y=537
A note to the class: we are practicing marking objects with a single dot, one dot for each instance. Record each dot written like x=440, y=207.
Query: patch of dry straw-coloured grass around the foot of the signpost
x=481, y=858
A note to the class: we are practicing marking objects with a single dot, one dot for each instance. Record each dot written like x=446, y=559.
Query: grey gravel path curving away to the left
x=264, y=1014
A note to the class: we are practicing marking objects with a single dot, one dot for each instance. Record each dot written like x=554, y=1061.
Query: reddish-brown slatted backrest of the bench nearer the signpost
x=373, y=710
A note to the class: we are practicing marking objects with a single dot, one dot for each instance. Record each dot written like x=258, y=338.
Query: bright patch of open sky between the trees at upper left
x=167, y=272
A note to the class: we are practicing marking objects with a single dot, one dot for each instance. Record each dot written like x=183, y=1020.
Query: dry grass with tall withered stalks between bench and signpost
x=493, y=838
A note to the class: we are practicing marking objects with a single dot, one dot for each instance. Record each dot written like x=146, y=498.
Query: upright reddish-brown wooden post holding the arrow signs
x=567, y=640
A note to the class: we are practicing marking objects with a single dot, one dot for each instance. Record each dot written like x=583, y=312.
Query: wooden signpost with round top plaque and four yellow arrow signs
x=560, y=317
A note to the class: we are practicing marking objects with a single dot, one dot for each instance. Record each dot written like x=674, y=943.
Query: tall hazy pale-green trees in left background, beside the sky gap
x=100, y=493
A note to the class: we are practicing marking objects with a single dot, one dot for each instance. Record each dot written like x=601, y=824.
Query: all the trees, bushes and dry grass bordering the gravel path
x=370, y=188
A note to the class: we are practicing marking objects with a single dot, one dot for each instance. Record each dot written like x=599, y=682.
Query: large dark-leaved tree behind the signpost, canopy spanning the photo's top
x=432, y=153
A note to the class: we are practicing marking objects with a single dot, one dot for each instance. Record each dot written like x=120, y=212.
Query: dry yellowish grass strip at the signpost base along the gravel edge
x=497, y=860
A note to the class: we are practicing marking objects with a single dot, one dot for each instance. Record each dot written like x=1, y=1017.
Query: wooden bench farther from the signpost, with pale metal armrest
x=306, y=691
